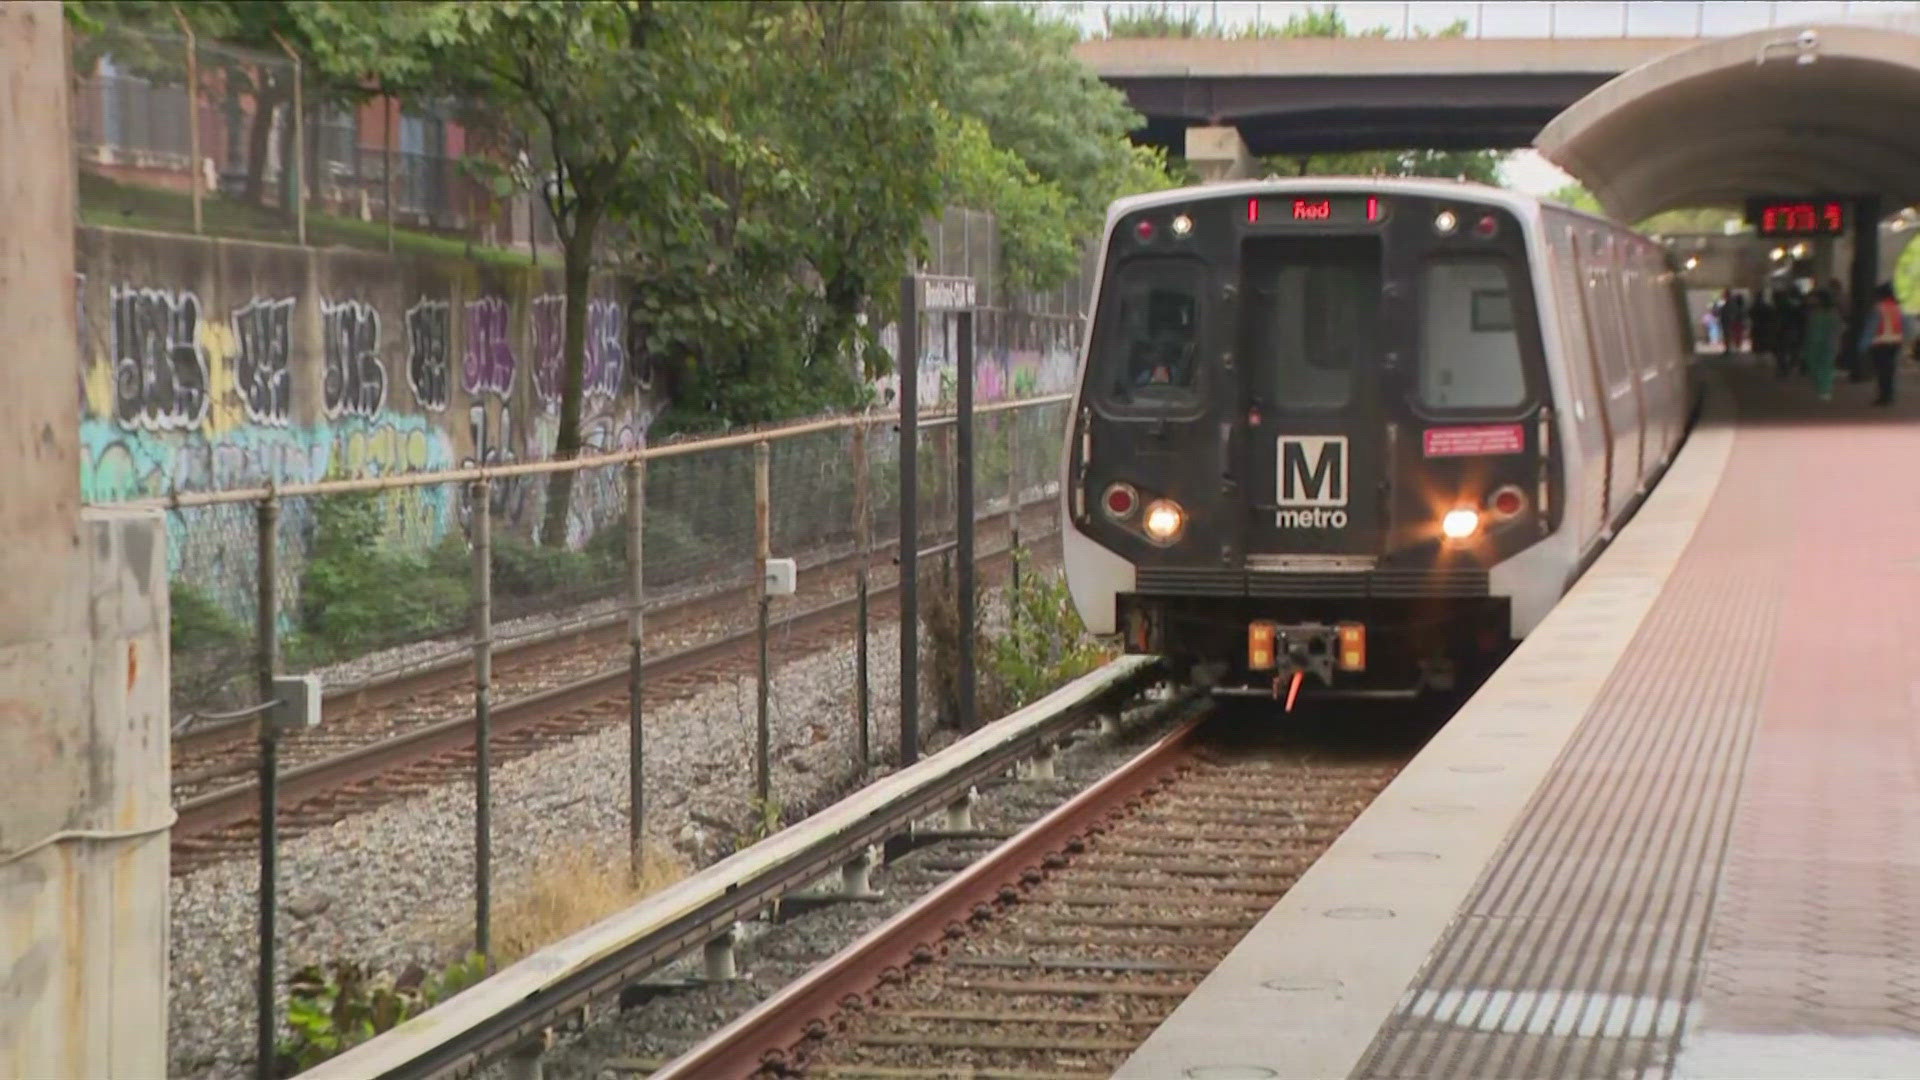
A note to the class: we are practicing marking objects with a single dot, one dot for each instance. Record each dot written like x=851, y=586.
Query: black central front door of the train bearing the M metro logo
x=1310, y=387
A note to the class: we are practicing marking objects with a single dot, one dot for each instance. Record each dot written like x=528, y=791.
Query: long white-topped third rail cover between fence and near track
x=527, y=998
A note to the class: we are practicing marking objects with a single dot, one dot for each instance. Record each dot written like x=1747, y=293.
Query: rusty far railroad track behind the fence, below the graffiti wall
x=358, y=777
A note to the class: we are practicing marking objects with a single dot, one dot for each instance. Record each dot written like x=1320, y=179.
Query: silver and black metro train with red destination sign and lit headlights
x=1356, y=437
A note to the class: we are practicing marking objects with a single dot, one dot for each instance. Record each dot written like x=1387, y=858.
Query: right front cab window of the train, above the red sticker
x=1470, y=337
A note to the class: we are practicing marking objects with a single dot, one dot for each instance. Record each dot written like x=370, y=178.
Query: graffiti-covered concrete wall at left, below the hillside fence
x=222, y=364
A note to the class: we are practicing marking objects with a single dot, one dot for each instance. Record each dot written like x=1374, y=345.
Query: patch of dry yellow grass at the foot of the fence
x=575, y=891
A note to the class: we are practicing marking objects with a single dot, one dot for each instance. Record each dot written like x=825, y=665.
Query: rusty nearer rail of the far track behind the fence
x=241, y=802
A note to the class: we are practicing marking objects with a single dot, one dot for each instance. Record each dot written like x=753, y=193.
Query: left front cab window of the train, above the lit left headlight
x=1151, y=349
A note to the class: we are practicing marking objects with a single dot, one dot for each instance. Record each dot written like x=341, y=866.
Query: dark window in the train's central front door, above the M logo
x=1312, y=318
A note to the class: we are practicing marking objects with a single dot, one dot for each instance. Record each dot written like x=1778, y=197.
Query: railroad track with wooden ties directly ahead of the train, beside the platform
x=1059, y=952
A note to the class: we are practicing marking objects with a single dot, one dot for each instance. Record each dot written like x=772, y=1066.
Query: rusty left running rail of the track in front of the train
x=779, y=1033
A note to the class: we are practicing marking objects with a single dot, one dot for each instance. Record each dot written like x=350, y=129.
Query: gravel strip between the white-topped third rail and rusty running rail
x=773, y=956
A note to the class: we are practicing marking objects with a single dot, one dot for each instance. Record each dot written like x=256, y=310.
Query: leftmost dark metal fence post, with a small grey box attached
x=268, y=662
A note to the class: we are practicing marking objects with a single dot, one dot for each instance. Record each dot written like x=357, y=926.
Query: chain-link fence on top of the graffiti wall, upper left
x=183, y=134
